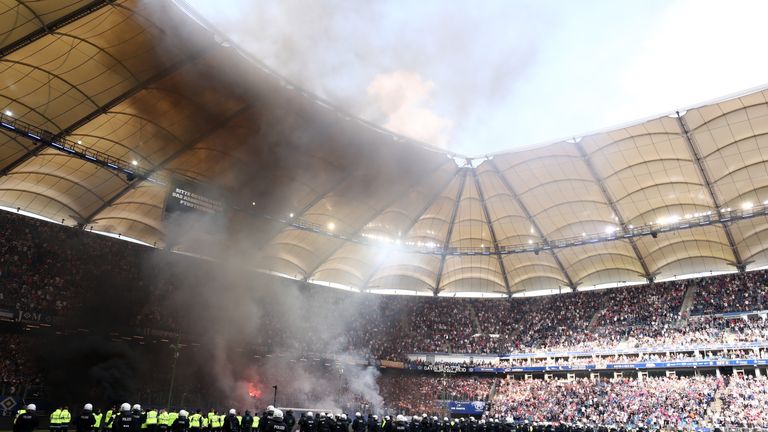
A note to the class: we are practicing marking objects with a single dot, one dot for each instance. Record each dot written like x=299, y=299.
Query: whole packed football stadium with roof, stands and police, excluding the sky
x=189, y=232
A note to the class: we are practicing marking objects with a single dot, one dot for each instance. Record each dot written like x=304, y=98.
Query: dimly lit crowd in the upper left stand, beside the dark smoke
x=46, y=267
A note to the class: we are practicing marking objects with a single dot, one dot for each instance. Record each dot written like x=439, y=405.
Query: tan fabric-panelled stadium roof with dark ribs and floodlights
x=132, y=84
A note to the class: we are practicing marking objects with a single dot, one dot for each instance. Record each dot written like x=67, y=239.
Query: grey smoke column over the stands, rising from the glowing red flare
x=255, y=331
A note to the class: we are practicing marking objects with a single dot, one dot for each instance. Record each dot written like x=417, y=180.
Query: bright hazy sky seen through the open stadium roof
x=479, y=77
